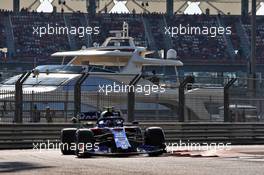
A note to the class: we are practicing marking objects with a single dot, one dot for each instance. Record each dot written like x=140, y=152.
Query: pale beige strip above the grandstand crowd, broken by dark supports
x=215, y=6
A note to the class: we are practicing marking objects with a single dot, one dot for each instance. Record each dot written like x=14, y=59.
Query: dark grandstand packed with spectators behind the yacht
x=146, y=28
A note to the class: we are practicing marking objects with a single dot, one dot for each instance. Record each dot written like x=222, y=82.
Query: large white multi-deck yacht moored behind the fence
x=116, y=61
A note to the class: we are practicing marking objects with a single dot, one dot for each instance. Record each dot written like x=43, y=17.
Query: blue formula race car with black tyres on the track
x=111, y=138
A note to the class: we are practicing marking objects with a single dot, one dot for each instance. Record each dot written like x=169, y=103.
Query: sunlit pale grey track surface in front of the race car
x=52, y=162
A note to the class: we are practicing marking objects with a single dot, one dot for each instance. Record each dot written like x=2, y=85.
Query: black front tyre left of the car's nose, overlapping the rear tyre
x=84, y=142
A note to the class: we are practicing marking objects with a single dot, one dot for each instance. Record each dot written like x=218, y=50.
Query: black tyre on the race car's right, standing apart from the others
x=154, y=136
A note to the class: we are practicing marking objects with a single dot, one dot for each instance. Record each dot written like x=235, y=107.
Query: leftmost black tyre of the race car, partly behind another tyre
x=67, y=139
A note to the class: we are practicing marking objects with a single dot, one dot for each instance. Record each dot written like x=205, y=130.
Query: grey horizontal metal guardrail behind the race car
x=19, y=136
